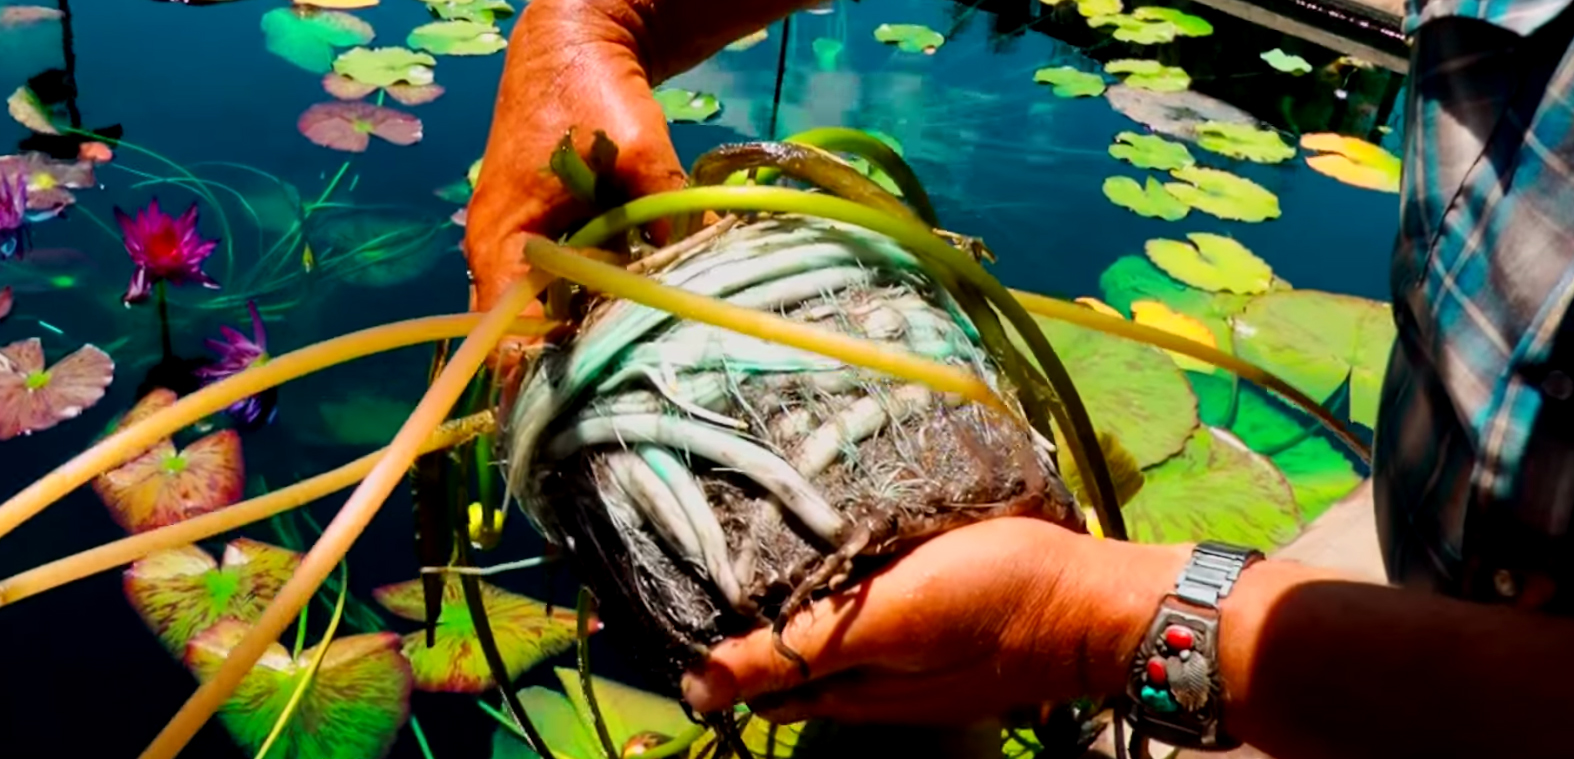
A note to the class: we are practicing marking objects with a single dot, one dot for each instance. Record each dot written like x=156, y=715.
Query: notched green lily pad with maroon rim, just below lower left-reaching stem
x=182, y=593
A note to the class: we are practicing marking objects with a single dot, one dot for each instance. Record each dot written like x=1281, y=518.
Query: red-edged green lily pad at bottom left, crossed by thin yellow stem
x=353, y=708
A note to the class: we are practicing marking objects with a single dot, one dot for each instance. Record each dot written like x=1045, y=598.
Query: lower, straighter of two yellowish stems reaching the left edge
x=136, y=547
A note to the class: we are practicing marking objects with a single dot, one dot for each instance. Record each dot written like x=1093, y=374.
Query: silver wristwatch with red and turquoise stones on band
x=1175, y=689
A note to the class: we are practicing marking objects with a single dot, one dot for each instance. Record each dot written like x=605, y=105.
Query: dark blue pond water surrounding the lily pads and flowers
x=196, y=87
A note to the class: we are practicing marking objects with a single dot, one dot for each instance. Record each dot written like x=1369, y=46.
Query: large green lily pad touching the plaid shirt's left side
x=1315, y=341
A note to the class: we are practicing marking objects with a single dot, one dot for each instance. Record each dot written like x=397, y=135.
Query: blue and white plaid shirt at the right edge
x=1474, y=429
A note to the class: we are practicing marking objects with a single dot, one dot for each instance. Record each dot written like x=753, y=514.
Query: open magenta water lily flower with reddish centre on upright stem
x=164, y=248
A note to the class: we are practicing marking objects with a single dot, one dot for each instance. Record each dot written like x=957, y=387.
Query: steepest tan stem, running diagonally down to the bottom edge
x=350, y=522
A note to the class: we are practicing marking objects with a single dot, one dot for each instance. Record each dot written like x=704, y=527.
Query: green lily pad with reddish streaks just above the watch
x=1214, y=491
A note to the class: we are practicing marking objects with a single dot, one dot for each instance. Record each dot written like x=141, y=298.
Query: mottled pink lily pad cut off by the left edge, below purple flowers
x=35, y=399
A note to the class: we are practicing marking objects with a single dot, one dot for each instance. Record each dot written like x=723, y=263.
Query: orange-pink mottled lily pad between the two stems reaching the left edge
x=164, y=486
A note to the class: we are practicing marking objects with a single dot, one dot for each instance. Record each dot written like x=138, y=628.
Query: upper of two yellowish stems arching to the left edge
x=127, y=443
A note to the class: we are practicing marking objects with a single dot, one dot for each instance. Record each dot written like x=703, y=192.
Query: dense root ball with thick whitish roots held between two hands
x=704, y=483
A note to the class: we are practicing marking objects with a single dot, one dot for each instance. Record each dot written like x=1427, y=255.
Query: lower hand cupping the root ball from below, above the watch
x=972, y=624
